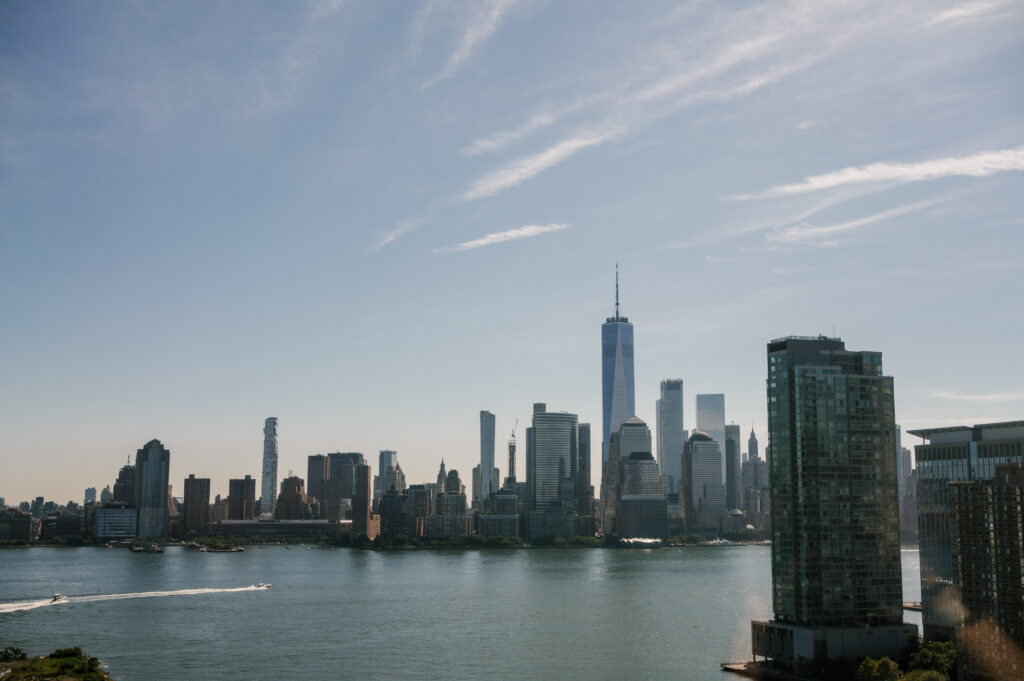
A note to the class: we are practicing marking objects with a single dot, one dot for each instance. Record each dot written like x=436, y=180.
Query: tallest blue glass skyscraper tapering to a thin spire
x=617, y=373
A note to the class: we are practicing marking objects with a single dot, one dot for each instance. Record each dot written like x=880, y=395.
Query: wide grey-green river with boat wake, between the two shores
x=343, y=614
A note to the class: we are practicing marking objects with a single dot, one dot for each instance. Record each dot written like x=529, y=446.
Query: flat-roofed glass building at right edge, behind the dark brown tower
x=953, y=454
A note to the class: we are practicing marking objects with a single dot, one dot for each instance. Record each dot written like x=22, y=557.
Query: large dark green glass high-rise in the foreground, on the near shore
x=837, y=581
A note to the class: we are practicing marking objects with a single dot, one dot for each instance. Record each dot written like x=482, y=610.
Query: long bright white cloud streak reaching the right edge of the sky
x=975, y=165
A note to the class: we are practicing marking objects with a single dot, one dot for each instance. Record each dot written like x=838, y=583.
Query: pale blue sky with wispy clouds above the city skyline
x=373, y=221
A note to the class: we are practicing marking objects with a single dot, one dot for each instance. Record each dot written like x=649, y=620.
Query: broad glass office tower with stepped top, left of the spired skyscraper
x=552, y=456
